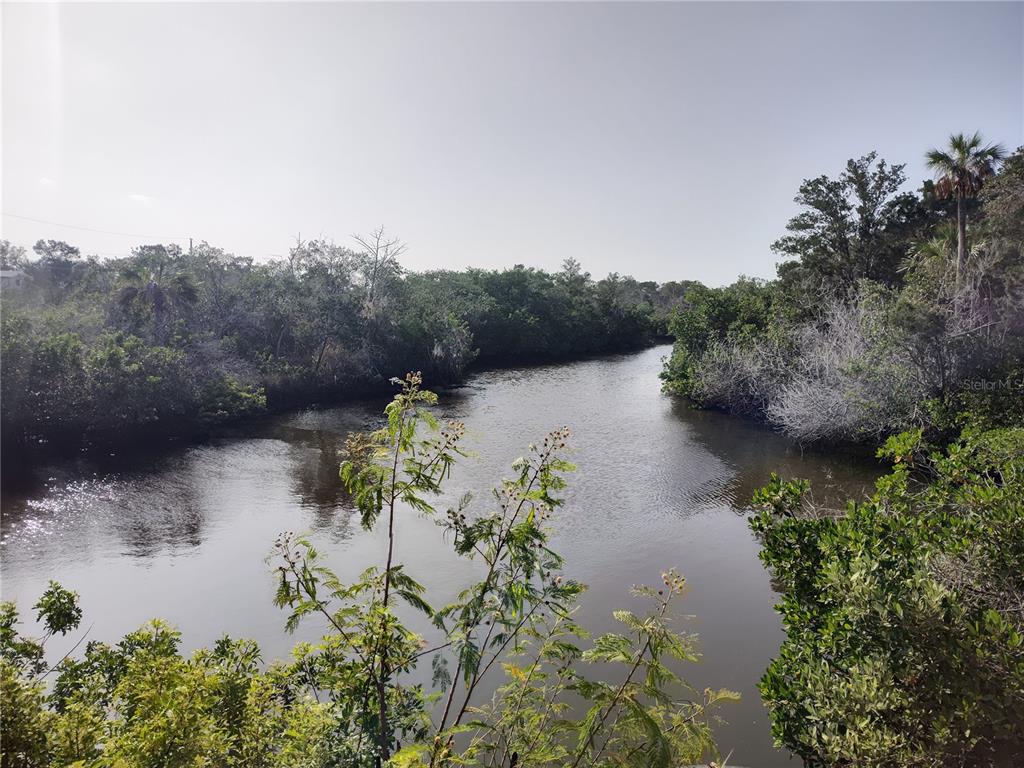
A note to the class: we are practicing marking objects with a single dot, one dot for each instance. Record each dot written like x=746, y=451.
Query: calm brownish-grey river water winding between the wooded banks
x=185, y=535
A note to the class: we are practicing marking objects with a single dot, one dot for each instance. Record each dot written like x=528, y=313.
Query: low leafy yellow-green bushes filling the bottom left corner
x=141, y=704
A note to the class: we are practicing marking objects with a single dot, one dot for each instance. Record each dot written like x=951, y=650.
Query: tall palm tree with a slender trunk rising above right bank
x=961, y=170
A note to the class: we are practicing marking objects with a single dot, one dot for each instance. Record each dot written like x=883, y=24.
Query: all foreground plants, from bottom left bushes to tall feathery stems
x=355, y=699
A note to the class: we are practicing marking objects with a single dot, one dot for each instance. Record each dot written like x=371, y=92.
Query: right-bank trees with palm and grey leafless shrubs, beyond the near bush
x=893, y=311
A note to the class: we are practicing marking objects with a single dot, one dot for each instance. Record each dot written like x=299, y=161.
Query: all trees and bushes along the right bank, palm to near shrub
x=898, y=321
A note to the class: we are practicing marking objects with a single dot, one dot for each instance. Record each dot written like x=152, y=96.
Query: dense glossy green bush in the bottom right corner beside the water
x=903, y=615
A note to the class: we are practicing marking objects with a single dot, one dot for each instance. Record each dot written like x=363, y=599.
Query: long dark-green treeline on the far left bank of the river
x=174, y=342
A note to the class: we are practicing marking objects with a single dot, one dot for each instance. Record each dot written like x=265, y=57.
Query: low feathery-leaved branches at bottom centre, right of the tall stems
x=628, y=722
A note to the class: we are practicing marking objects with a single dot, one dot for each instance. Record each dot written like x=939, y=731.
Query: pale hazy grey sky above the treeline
x=663, y=141
